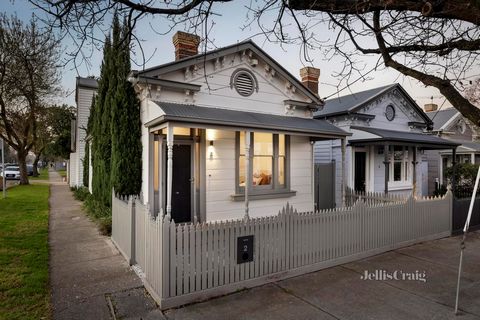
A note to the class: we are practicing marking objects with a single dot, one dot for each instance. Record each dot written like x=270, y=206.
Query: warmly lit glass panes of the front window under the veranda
x=268, y=162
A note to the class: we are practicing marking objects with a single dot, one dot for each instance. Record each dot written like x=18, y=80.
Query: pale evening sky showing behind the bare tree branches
x=229, y=21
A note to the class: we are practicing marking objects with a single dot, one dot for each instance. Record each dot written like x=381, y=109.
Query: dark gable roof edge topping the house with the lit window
x=250, y=45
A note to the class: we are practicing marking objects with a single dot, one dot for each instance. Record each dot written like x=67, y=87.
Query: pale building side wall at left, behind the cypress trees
x=85, y=88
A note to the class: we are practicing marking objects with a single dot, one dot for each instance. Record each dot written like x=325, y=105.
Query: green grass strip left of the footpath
x=24, y=287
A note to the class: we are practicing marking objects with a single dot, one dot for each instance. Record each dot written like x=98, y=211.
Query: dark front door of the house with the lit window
x=181, y=183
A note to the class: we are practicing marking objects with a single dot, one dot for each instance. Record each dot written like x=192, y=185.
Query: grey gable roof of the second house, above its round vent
x=353, y=102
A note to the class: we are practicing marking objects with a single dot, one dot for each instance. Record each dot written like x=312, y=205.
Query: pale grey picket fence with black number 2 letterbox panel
x=183, y=263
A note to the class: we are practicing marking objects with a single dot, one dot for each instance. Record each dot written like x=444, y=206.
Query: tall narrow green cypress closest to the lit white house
x=126, y=127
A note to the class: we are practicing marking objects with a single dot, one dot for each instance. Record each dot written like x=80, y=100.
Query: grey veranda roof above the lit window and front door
x=244, y=119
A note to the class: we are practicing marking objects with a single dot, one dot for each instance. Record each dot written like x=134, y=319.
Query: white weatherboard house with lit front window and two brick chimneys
x=228, y=133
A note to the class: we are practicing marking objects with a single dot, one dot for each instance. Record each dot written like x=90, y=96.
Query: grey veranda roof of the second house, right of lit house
x=401, y=136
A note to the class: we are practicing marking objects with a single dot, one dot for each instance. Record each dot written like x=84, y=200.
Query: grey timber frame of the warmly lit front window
x=275, y=187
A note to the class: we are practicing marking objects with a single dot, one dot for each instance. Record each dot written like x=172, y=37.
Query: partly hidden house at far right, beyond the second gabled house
x=451, y=125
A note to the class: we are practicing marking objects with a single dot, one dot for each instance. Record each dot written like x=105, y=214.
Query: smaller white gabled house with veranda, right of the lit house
x=386, y=151
